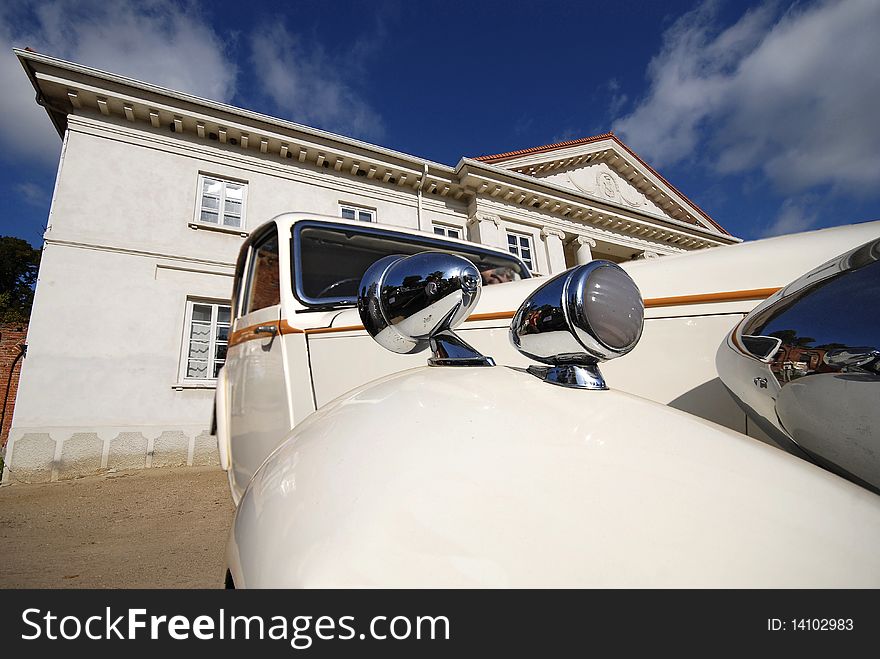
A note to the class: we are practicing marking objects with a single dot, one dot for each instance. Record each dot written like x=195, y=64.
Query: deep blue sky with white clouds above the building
x=763, y=113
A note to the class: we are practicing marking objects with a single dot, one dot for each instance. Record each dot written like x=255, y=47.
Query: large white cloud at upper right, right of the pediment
x=794, y=93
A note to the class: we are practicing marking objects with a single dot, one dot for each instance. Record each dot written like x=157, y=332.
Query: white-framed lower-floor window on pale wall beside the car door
x=207, y=335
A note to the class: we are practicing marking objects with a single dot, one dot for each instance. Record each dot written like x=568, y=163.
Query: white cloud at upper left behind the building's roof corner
x=157, y=41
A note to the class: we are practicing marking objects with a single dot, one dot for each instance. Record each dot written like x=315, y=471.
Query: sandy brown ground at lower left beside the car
x=151, y=528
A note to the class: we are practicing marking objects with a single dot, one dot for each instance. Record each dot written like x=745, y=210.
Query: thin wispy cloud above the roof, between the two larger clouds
x=308, y=86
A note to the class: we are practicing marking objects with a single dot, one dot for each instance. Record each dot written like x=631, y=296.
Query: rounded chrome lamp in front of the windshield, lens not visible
x=410, y=303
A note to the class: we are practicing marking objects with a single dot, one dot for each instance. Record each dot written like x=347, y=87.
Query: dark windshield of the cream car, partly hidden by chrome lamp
x=329, y=260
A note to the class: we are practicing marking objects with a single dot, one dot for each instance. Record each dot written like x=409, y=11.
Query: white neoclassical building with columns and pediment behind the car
x=154, y=195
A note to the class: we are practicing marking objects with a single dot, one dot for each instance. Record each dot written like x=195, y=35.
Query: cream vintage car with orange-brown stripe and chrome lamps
x=389, y=416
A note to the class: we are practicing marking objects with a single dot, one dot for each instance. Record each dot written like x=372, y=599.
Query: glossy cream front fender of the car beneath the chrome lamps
x=480, y=477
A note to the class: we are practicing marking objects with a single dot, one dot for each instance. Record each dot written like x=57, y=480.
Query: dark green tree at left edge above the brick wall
x=19, y=263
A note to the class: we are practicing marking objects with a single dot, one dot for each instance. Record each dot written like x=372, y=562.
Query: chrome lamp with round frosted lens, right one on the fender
x=591, y=313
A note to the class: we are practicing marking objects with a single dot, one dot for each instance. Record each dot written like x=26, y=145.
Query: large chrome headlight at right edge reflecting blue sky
x=816, y=345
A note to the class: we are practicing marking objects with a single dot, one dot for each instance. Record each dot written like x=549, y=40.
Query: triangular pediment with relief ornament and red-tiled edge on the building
x=604, y=169
